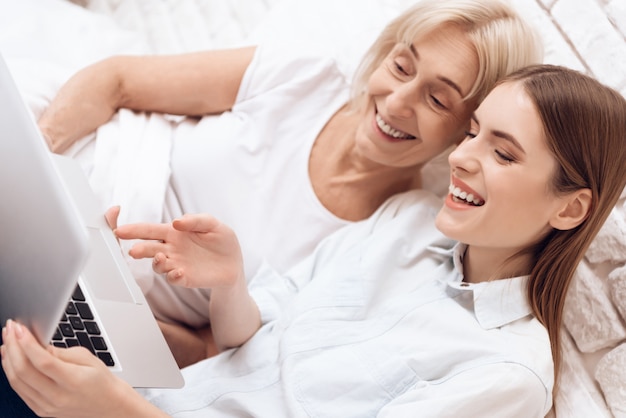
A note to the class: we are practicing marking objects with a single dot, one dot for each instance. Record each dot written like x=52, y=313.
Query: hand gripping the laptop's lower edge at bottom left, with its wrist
x=68, y=382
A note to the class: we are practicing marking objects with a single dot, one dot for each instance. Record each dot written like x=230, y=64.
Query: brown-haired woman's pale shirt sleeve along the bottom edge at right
x=492, y=390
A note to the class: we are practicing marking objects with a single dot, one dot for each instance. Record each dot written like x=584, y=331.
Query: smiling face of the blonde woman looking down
x=416, y=108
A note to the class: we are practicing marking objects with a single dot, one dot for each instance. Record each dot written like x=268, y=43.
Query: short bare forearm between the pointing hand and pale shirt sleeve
x=234, y=315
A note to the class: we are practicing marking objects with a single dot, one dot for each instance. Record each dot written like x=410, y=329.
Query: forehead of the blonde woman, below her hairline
x=449, y=55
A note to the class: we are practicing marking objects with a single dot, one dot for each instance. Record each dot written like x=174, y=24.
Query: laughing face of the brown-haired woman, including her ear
x=505, y=168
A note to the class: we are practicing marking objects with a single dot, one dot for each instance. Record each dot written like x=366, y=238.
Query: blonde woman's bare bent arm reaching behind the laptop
x=192, y=84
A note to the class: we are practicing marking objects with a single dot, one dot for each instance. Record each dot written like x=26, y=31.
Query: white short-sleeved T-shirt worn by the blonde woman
x=249, y=168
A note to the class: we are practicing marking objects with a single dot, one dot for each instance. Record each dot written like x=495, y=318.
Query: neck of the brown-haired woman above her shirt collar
x=483, y=264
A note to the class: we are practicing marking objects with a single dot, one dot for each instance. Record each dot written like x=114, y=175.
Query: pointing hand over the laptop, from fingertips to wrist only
x=193, y=251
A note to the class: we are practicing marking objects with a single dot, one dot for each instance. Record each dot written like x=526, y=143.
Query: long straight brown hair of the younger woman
x=585, y=128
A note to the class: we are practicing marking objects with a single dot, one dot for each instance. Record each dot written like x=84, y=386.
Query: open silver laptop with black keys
x=62, y=272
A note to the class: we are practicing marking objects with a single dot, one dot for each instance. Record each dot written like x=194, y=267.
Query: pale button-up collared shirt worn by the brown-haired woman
x=378, y=323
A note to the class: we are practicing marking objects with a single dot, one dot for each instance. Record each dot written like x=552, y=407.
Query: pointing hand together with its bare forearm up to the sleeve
x=200, y=251
